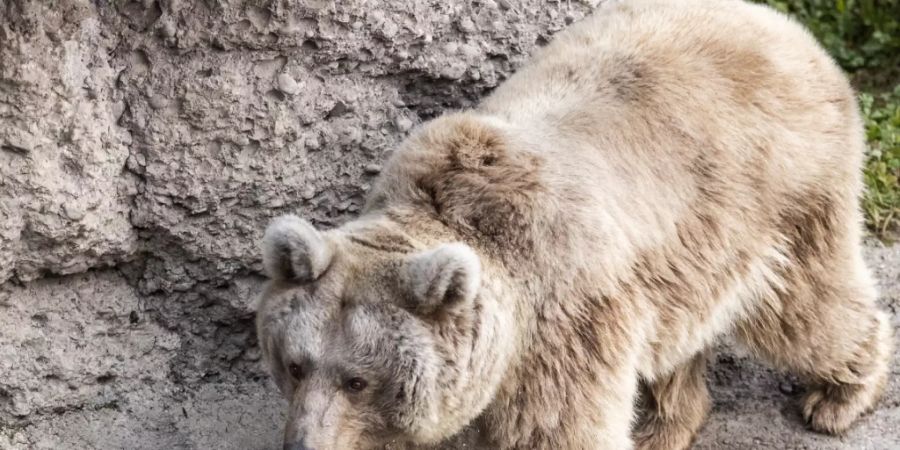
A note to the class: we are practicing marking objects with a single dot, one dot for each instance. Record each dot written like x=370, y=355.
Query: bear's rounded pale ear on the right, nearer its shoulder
x=444, y=276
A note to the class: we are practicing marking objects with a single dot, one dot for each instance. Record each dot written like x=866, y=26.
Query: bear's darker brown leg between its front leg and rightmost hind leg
x=673, y=408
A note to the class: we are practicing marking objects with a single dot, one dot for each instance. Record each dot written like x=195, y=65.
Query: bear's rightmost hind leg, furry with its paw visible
x=825, y=327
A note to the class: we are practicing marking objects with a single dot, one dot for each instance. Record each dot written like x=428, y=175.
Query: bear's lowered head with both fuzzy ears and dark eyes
x=374, y=336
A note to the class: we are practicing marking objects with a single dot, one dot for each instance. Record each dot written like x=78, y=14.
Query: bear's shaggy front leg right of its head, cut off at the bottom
x=563, y=402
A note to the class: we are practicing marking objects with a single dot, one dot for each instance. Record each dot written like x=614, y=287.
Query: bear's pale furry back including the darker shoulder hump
x=701, y=126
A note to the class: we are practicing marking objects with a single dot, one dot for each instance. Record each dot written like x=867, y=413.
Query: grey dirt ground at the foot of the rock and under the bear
x=754, y=408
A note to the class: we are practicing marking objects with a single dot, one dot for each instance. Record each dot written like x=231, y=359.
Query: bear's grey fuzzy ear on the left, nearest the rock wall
x=294, y=250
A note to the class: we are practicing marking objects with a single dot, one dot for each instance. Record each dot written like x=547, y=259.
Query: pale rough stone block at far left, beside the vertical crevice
x=64, y=197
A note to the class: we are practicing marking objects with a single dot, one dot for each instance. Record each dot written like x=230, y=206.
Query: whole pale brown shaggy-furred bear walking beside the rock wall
x=661, y=175
